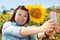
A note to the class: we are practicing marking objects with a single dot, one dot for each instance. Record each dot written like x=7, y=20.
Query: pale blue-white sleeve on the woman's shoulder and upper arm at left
x=9, y=29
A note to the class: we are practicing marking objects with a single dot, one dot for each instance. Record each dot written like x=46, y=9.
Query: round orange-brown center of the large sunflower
x=36, y=13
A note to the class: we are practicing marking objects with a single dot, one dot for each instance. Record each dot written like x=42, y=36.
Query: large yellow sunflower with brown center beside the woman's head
x=36, y=12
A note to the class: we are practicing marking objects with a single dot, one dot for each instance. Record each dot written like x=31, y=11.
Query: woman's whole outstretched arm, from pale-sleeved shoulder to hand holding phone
x=10, y=29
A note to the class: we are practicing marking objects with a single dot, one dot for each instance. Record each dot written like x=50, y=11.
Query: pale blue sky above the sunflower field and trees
x=14, y=3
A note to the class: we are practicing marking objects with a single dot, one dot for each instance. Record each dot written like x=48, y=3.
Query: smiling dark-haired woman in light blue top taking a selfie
x=14, y=29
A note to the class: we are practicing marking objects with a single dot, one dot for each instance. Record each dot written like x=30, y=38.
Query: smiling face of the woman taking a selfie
x=21, y=16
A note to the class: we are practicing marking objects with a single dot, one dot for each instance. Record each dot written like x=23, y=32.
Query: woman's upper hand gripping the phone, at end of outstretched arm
x=48, y=26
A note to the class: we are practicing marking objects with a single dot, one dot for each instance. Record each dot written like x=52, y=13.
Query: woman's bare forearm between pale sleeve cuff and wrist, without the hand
x=30, y=30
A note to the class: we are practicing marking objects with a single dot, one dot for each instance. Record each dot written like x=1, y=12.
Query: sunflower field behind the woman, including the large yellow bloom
x=38, y=15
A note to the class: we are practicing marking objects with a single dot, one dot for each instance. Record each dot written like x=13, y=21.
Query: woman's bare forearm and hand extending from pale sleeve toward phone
x=46, y=27
